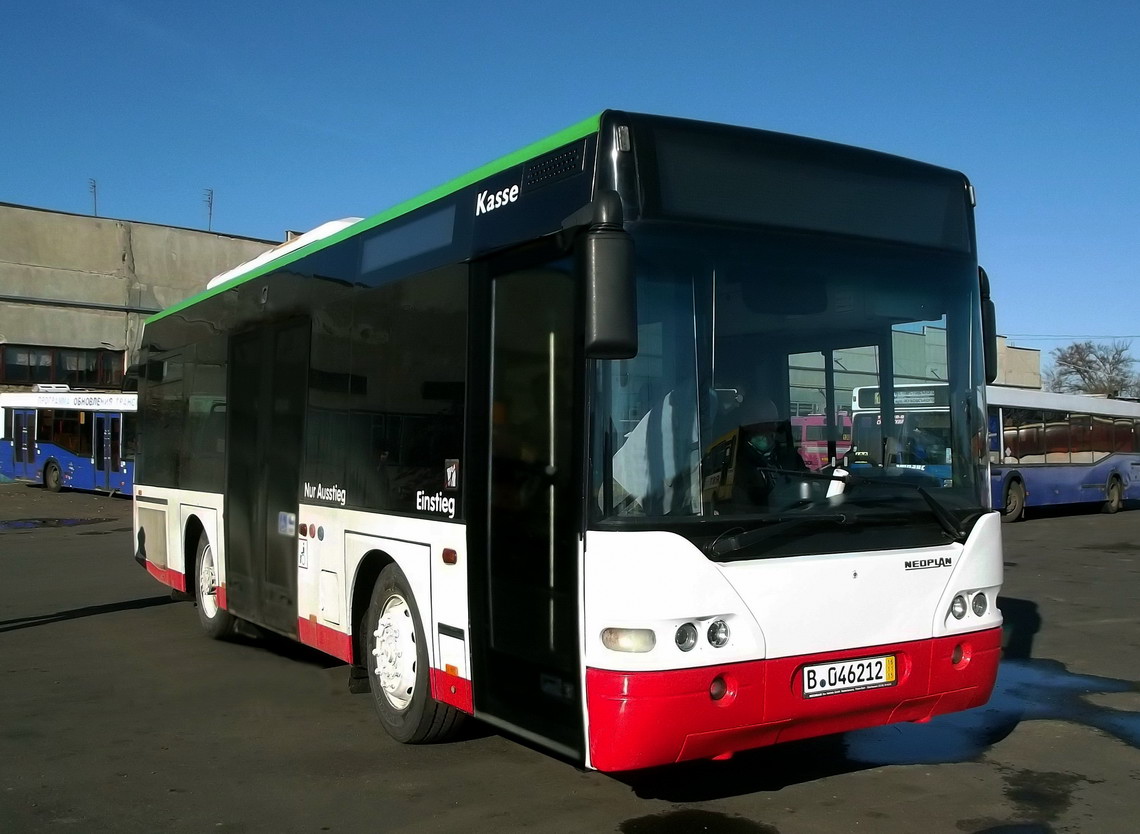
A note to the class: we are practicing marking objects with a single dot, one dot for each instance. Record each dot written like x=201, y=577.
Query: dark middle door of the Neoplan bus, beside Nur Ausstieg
x=268, y=374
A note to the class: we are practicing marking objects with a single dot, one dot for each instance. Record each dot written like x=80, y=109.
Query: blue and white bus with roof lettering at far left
x=63, y=438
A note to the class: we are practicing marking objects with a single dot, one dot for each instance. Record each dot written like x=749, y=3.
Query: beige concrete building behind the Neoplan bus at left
x=76, y=290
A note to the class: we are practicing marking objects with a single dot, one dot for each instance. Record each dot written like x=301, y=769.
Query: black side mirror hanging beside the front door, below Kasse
x=612, y=296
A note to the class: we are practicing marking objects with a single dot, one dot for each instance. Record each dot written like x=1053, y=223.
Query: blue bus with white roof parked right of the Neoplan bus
x=1051, y=449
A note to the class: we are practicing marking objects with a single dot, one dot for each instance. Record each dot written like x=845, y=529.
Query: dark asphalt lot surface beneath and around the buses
x=118, y=715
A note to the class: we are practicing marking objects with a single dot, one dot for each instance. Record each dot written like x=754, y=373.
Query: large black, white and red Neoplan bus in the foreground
x=460, y=446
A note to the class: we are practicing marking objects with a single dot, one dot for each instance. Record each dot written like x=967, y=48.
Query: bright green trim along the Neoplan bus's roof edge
x=564, y=137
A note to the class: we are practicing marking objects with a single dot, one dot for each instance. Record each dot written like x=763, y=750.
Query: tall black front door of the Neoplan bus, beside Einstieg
x=525, y=566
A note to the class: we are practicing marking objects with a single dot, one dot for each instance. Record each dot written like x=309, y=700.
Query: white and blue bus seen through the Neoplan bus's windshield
x=922, y=440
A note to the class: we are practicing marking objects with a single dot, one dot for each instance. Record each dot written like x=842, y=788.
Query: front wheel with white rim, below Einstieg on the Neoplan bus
x=410, y=714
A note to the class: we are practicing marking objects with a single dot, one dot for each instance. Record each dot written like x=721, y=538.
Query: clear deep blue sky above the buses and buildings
x=298, y=113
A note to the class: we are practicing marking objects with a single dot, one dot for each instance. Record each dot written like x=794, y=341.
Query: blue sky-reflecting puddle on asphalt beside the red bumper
x=1027, y=691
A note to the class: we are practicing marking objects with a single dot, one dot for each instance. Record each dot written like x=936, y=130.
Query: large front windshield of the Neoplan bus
x=747, y=337
